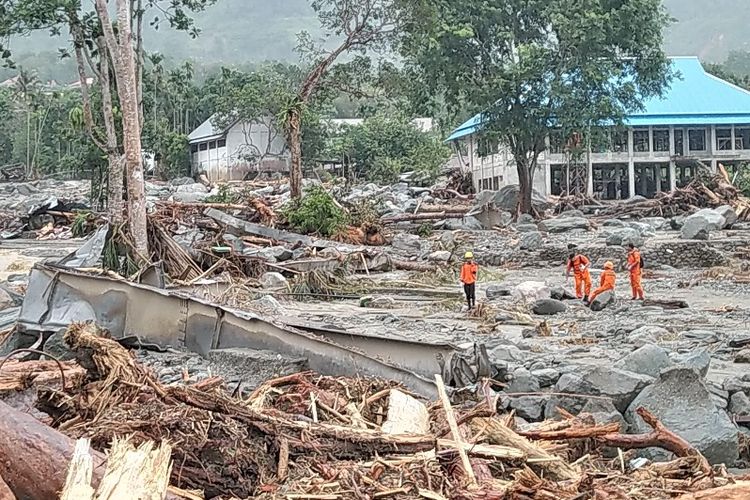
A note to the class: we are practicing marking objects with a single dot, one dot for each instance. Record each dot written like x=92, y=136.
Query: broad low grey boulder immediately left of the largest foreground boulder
x=619, y=385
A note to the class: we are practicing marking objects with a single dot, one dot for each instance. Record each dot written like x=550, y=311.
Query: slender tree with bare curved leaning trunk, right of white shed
x=351, y=26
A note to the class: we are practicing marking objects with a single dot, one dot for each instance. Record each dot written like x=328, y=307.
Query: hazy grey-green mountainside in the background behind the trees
x=242, y=32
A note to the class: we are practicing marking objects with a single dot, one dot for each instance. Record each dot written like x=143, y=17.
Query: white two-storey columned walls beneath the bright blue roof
x=654, y=159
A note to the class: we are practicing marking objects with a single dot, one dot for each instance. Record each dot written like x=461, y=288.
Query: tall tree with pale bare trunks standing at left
x=114, y=54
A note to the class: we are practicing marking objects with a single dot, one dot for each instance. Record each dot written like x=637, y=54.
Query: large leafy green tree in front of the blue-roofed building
x=531, y=66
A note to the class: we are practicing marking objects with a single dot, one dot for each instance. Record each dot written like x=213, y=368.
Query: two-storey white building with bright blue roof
x=701, y=119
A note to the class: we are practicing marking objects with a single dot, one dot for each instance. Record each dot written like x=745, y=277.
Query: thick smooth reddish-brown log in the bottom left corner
x=34, y=458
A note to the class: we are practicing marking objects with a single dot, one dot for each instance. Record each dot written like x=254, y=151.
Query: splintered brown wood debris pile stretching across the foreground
x=309, y=436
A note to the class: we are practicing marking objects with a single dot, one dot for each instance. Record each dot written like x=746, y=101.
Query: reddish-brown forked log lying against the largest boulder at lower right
x=661, y=437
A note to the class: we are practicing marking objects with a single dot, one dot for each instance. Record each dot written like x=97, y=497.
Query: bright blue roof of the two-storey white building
x=695, y=97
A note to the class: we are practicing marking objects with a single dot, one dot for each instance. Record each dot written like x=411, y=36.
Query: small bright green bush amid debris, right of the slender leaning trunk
x=316, y=212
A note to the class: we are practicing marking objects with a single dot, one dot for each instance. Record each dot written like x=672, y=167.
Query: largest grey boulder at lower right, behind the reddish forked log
x=683, y=403
